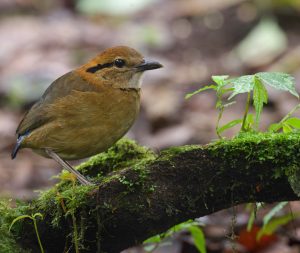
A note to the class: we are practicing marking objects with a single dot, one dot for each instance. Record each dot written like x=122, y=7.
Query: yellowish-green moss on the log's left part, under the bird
x=68, y=201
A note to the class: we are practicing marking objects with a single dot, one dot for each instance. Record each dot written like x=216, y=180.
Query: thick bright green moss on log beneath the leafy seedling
x=282, y=149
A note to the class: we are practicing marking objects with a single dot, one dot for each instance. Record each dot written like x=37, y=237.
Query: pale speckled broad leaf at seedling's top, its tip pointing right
x=279, y=81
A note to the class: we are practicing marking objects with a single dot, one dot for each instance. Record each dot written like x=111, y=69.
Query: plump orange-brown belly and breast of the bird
x=87, y=127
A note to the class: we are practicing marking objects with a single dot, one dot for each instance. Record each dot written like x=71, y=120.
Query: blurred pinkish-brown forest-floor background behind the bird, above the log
x=194, y=39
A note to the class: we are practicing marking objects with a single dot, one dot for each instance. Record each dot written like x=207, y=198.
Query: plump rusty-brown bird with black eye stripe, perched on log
x=87, y=110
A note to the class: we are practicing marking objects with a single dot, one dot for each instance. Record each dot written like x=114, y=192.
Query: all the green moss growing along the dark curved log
x=64, y=200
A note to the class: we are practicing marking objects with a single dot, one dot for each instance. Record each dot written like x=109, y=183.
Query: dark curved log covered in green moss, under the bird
x=139, y=193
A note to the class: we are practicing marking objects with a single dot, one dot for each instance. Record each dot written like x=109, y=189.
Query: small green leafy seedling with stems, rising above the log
x=255, y=88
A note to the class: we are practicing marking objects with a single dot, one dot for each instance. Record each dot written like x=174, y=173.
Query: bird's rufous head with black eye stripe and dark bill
x=120, y=67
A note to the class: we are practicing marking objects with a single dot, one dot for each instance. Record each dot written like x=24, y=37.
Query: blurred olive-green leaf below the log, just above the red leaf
x=273, y=225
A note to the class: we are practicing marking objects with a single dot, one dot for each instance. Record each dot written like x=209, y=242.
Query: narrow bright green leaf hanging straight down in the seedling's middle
x=260, y=97
